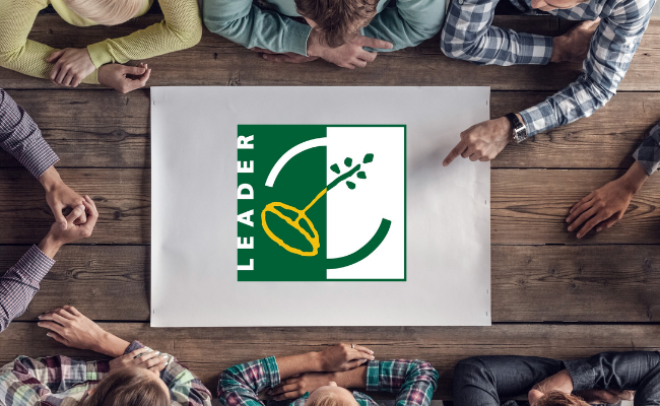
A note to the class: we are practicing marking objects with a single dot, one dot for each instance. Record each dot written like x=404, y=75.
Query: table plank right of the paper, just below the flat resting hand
x=576, y=284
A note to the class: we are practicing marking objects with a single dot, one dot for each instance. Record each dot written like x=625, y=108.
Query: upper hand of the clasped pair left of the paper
x=60, y=196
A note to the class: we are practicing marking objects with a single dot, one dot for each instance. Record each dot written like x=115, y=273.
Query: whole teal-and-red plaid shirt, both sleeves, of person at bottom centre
x=413, y=381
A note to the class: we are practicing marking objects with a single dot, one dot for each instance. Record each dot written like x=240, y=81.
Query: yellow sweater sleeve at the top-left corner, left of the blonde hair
x=16, y=51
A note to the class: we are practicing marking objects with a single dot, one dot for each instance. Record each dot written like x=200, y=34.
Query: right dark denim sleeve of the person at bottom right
x=612, y=370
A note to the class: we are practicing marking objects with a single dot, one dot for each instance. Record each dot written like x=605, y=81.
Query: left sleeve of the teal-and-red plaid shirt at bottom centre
x=240, y=385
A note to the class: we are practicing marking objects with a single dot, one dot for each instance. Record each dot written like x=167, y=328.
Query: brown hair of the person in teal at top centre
x=337, y=20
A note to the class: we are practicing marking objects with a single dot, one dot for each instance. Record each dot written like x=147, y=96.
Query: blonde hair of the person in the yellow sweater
x=106, y=12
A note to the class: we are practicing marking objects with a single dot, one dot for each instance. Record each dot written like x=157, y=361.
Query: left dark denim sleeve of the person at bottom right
x=483, y=381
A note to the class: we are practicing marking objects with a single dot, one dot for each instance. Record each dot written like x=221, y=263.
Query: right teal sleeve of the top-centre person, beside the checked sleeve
x=407, y=24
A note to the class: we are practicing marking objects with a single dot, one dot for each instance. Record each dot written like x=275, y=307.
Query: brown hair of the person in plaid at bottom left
x=129, y=387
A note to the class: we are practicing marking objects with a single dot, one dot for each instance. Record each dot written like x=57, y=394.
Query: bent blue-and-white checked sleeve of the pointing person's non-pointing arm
x=468, y=34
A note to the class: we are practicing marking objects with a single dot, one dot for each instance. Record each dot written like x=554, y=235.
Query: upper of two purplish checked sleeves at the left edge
x=20, y=136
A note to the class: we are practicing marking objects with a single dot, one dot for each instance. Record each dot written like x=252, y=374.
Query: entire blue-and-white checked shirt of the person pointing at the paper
x=469, y=35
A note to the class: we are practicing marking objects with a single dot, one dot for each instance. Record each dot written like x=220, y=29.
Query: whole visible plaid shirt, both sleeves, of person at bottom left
x=62, y=381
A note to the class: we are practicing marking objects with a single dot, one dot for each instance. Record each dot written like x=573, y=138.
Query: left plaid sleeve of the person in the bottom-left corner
x=27, y=381
